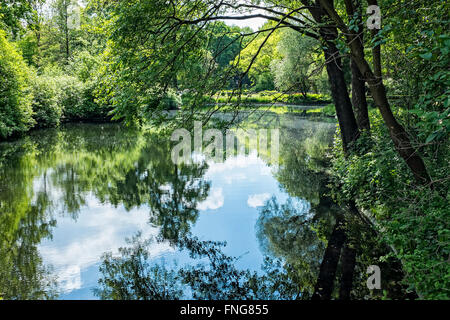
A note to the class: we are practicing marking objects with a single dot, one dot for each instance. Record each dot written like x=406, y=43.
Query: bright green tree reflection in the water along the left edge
x=24, y=222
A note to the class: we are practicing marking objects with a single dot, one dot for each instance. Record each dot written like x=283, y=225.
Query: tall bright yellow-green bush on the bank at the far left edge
x=15, y=94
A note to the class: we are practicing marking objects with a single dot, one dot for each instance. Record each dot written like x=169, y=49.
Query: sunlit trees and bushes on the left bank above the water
x=41, y=86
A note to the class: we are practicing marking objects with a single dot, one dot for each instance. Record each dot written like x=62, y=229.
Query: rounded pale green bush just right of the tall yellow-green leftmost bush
x=46, y=107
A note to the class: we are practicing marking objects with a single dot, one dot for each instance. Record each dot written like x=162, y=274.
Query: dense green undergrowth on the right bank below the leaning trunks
x=413, y=220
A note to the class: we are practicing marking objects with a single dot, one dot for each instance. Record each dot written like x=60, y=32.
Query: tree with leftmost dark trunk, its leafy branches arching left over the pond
x=155, y=57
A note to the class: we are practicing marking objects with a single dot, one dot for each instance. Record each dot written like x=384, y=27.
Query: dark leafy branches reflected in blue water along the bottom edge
x=132, y=275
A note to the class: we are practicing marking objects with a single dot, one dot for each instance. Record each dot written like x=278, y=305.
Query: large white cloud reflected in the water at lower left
x=78, y=245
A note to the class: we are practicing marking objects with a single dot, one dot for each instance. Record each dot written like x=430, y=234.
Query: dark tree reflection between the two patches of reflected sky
x=171, y=191
